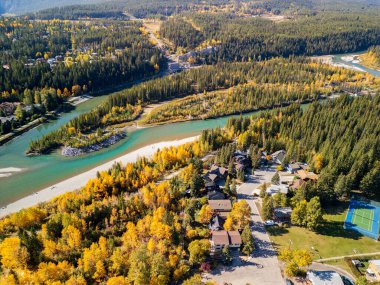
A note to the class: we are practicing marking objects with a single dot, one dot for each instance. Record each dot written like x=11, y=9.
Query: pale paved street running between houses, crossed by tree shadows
x=263, y=256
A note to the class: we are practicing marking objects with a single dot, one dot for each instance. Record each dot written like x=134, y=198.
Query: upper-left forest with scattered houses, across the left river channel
x=46, y=62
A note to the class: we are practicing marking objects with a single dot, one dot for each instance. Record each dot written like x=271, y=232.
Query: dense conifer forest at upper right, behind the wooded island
x=249, y=38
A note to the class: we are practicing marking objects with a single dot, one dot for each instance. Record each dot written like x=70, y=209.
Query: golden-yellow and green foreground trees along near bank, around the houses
x=125, y=228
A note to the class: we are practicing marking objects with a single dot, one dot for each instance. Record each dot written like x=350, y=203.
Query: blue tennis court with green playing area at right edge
x=363, y=216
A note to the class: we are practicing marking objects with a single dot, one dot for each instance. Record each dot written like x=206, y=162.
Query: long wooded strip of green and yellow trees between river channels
x=258, y=85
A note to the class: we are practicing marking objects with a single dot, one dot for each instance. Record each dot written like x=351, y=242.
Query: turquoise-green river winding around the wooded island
x=42, y=171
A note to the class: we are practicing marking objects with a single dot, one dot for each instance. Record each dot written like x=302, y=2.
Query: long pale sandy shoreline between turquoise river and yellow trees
x=80, y=180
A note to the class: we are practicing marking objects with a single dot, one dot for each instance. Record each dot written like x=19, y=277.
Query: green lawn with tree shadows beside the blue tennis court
x=329, y=241
